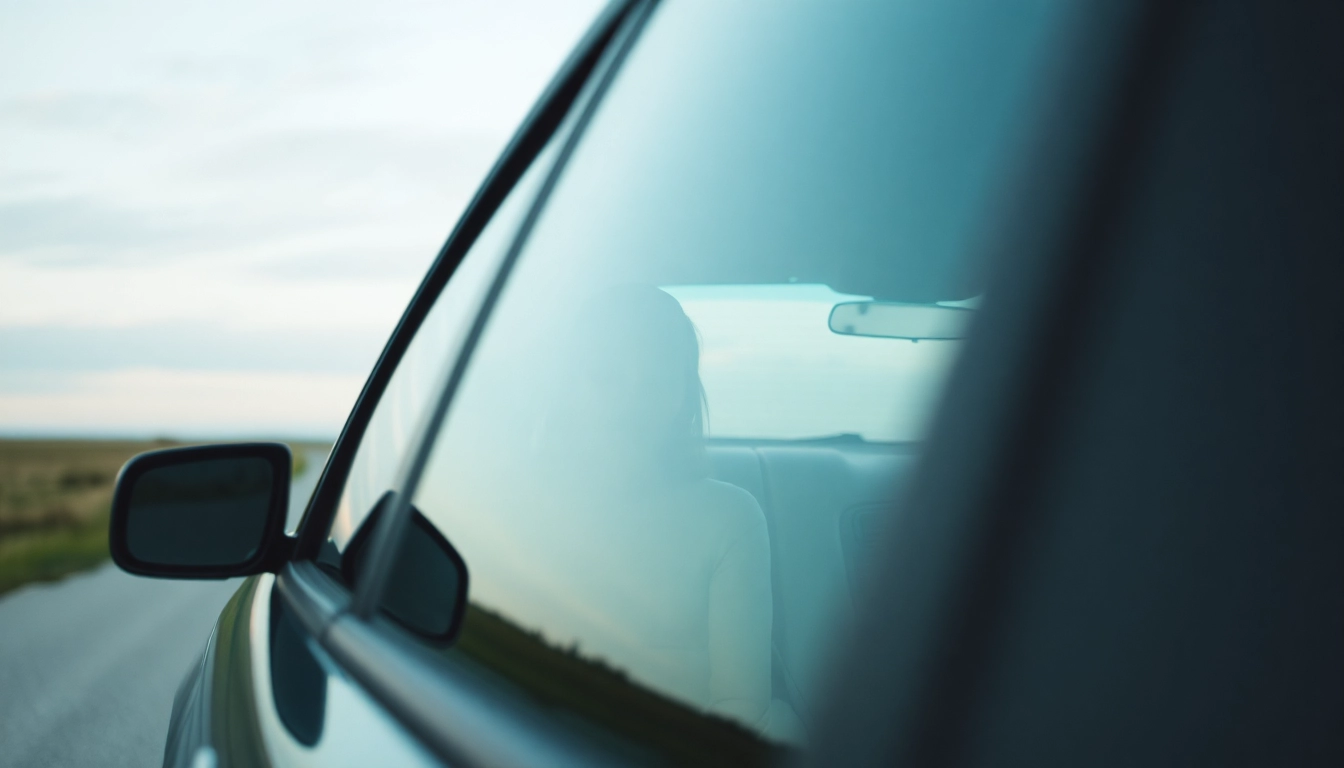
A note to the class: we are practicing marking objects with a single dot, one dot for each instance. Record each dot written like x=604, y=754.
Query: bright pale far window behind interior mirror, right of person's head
x=773, y=369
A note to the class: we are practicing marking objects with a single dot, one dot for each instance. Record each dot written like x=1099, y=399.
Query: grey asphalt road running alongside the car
x=89, y=665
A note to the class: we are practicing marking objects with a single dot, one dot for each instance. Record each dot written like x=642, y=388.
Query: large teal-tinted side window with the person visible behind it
x=665, y=466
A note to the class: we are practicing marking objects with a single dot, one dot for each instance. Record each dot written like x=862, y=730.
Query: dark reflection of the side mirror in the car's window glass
x=427, y=588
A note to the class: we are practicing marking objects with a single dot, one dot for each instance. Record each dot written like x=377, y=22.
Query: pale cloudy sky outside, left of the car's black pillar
x=213, y=215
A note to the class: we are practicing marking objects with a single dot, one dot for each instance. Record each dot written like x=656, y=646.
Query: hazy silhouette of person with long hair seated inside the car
x=671, y=567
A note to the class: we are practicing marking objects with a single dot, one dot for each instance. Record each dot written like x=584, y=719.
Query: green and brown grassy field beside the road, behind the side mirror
x=56, y=498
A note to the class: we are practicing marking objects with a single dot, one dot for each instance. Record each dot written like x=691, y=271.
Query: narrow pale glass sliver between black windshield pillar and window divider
x=421, y=369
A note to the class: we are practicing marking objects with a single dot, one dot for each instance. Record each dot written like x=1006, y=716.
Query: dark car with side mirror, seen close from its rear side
x=853, y=384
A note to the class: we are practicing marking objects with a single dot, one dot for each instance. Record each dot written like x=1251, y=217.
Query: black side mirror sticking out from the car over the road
x=210, y=512
